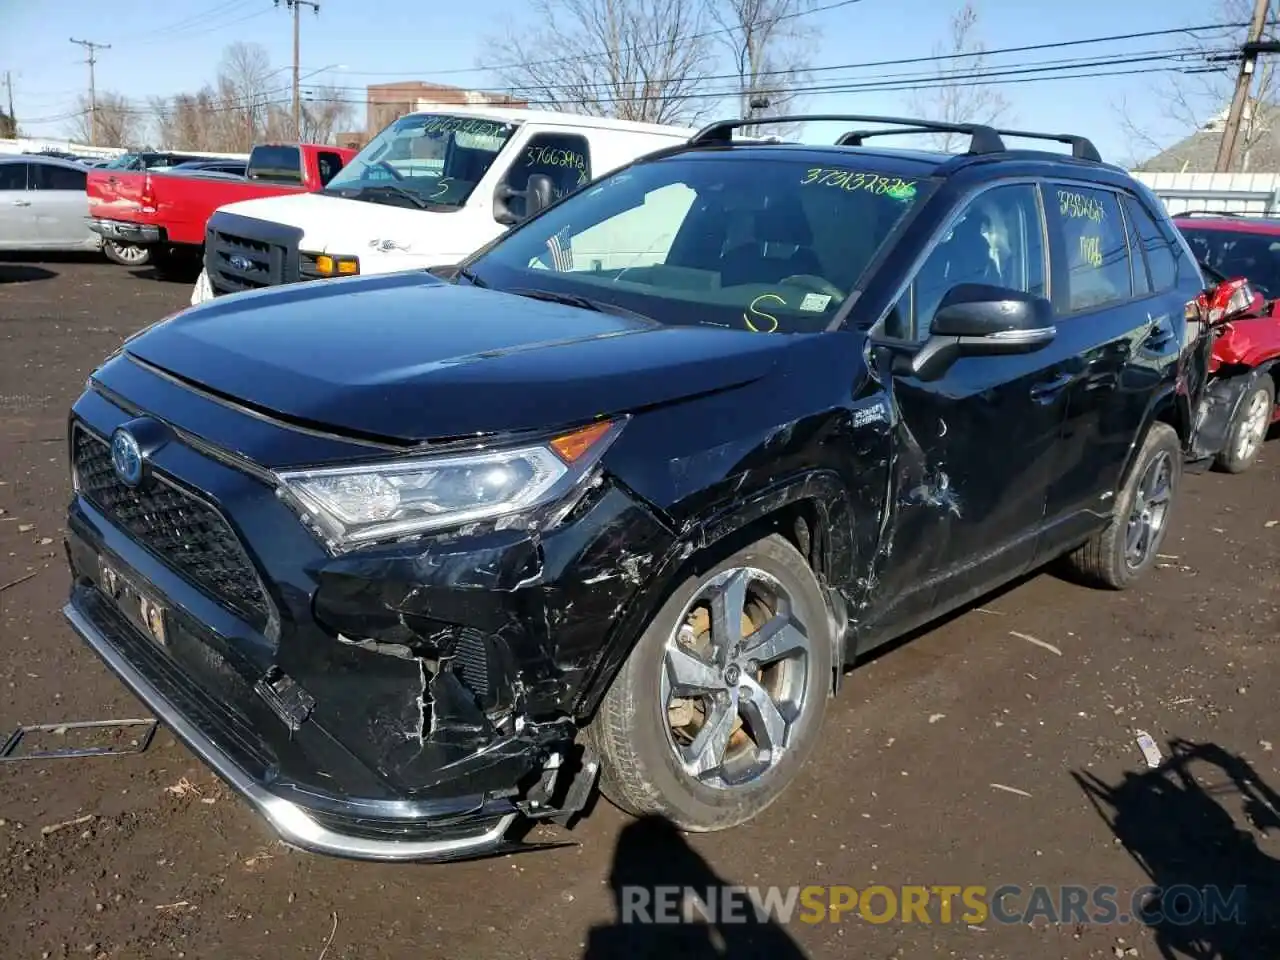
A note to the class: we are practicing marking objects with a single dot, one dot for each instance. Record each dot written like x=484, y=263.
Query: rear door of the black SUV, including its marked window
x=1126, y=331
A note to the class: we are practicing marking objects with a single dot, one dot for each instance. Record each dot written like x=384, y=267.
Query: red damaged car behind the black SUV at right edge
x=1244, y=313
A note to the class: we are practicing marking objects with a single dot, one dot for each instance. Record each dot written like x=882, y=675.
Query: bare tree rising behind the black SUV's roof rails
x=956, y=95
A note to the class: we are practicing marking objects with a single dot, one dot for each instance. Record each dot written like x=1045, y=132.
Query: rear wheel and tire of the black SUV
x=1121, y=554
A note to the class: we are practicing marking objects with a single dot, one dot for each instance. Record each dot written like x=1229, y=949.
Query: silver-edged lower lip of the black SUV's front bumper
x=339, y=830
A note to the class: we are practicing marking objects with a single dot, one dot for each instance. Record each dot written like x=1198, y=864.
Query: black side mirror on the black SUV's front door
x=977, y=319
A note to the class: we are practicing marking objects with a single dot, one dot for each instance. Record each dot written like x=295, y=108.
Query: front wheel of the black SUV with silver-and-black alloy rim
x=724, y=696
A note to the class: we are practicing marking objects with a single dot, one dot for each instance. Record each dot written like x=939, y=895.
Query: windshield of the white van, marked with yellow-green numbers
x=424, y=161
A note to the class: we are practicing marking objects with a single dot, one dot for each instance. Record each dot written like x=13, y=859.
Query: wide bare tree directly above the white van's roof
x=633, y=60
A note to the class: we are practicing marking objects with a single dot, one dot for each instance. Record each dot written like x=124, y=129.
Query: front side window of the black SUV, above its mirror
x=999, y=240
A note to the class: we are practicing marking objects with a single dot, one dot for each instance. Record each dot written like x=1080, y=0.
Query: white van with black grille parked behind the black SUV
x=427, y=191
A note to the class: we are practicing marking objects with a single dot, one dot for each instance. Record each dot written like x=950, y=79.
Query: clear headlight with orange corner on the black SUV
x=397, y=499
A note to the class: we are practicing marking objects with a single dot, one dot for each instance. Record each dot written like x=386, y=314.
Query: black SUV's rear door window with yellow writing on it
x=1095, y=246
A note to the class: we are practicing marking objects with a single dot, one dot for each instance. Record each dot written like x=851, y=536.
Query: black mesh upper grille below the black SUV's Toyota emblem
x=177, y=528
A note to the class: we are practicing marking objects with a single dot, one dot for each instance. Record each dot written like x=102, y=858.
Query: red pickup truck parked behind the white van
x=153, y=217
